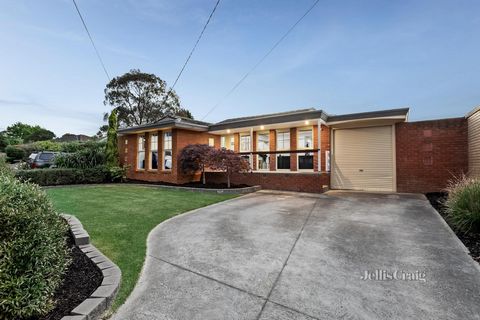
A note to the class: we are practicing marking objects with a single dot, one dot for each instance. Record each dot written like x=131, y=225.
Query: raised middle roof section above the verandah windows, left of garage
x=271, y=118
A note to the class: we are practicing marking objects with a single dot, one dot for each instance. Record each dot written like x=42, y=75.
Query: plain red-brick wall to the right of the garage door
x=429, y=153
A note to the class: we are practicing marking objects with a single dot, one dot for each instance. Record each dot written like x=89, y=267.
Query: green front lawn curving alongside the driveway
x=119, y=218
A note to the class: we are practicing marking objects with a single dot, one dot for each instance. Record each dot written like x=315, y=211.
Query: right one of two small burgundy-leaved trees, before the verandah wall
x=228, y=162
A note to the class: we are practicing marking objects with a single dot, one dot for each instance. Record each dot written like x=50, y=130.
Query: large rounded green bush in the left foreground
x=33, y=251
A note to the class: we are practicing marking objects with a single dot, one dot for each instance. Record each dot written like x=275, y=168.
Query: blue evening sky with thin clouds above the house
x=346, y=56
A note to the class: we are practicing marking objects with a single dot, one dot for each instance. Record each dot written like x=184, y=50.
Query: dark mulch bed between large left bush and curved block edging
x=80, y=281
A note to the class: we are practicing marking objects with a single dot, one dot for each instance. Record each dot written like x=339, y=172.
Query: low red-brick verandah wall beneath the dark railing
x=301, y=182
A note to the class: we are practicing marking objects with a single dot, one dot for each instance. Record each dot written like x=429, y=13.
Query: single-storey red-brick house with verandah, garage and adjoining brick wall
x=311, y=151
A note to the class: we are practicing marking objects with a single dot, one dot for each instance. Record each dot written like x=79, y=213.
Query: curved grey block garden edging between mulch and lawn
x=100, y=300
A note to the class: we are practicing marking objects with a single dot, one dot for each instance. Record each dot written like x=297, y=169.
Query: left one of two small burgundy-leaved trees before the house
x=196, y=157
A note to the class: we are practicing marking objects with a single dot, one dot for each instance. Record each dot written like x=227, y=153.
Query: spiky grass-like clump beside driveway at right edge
x=463, y=204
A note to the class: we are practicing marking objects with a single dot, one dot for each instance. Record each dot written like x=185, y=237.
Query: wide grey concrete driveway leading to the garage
x=293, y=256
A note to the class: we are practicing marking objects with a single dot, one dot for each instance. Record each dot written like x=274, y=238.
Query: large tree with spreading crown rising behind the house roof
x=141, y=98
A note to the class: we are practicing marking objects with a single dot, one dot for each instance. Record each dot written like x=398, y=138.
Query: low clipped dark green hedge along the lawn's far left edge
x=63, y=176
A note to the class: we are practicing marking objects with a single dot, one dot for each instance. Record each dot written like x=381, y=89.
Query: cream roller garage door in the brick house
x=363, y=159
